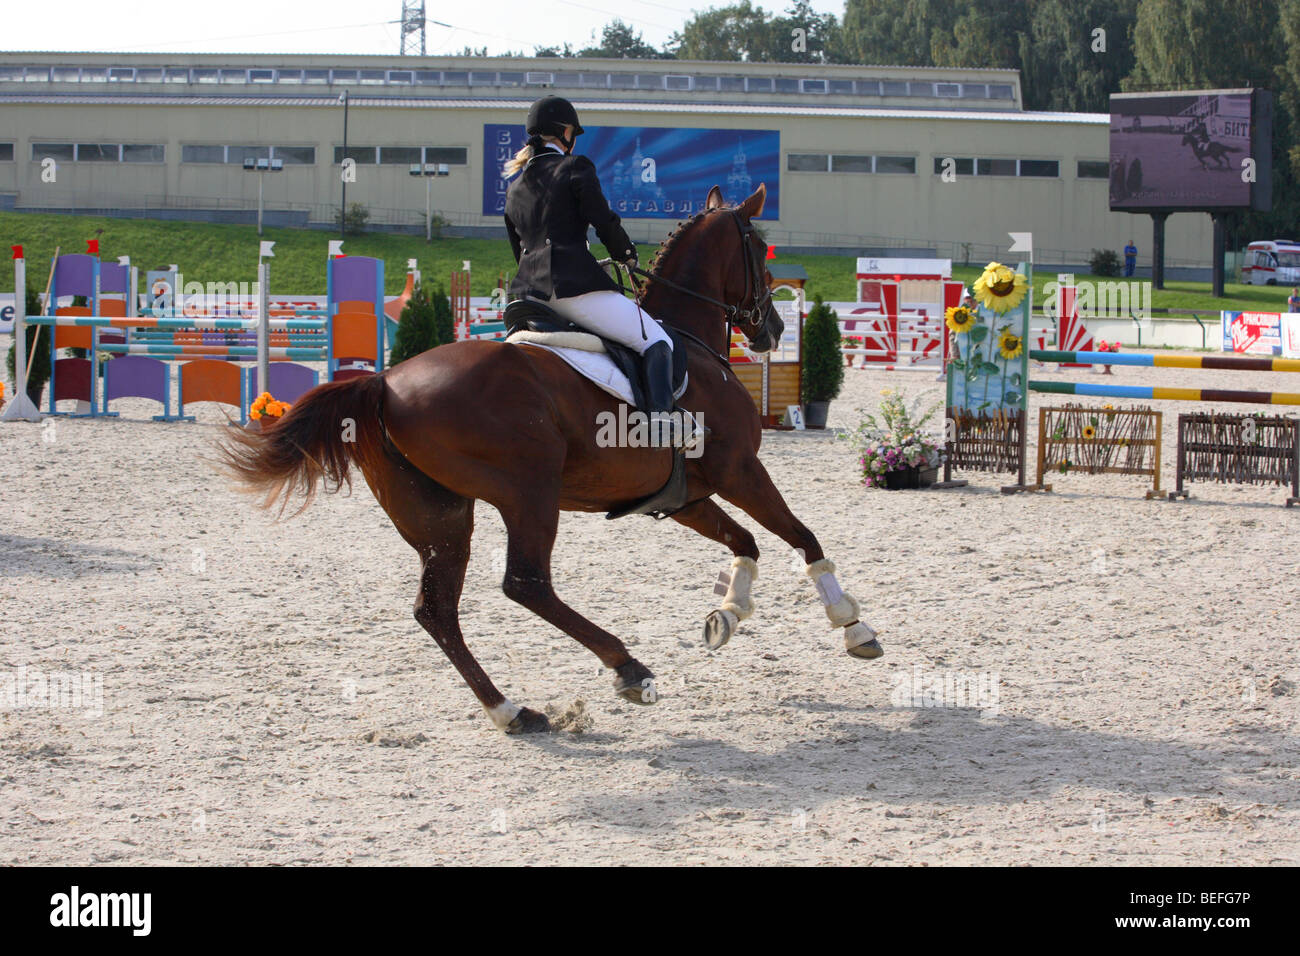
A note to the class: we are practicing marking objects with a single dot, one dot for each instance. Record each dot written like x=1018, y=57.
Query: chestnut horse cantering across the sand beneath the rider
x=523, y=440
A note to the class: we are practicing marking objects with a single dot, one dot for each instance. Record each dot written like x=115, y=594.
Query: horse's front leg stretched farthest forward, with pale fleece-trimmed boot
x=751, y=488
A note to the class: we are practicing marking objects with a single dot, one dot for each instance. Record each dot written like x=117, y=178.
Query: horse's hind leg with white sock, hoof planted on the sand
x=439, y=525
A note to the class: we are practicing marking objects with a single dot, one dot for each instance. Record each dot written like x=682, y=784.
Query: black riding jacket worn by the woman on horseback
x=548, y=211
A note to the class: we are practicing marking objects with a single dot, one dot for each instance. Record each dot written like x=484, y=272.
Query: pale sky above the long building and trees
x=340, y=27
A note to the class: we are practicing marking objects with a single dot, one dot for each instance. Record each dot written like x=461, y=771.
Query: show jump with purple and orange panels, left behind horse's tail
x=205, y=351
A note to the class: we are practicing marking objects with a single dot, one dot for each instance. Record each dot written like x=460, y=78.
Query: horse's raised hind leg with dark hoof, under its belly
x=531, y=535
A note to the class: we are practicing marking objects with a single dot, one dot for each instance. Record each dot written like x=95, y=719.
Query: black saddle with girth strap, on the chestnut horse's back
x=538, y=318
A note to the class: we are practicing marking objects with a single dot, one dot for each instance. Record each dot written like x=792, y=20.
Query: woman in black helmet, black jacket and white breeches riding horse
x=548, y=211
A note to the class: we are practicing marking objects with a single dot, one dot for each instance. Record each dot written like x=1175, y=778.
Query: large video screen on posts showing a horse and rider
x=1206, y=150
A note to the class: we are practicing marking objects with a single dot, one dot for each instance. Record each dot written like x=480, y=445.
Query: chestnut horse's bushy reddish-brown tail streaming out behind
x=324, y=434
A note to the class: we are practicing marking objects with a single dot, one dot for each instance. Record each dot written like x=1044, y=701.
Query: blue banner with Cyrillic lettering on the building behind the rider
x=651, y=172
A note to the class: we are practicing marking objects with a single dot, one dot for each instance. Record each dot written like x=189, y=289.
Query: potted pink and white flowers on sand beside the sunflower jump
x=892, y=452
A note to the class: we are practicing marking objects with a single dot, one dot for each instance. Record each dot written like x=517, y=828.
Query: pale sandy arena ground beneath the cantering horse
x=270, y=699
